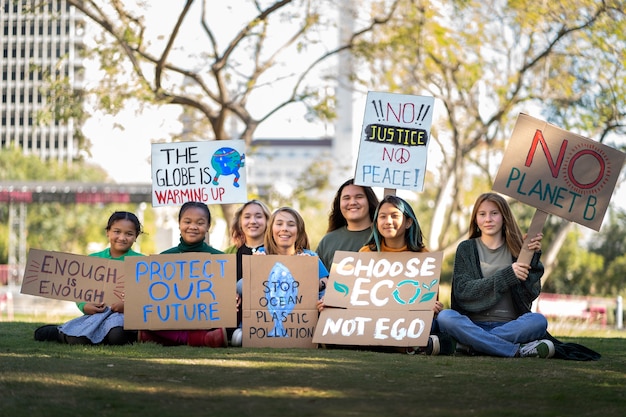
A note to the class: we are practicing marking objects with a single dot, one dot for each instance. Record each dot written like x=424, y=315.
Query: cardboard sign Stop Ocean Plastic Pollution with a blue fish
x=280, y=294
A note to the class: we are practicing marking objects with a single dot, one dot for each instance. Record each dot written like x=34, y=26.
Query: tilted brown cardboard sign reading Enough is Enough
x=78, y=278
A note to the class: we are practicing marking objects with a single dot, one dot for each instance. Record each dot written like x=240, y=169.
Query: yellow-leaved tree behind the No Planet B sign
x=487, y=61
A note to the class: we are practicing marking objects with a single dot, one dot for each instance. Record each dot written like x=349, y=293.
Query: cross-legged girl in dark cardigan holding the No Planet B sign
x=492, y=292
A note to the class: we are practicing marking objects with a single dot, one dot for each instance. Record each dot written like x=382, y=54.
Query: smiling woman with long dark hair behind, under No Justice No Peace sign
x=349, y=222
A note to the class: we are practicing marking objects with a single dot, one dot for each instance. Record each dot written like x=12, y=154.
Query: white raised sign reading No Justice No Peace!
x=394, y=141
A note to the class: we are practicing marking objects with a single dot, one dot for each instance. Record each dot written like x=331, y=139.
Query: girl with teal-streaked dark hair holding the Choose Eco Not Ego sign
x=396, y=229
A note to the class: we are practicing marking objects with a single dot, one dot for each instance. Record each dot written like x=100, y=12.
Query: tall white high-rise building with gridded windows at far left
x=40, y=41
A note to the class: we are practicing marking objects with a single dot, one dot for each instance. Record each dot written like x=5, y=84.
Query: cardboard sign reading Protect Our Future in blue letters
x=193, y=290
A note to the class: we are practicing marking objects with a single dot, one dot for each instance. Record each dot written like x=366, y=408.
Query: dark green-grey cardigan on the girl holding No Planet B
x=471, y=292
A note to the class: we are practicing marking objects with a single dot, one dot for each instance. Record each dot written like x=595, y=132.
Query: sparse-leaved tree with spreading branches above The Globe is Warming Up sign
x=246, y=62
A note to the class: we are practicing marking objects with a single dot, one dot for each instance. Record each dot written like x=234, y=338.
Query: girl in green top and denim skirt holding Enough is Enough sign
x=101, y=324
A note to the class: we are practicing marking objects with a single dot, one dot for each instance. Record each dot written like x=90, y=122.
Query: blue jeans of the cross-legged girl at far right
x=493, y=338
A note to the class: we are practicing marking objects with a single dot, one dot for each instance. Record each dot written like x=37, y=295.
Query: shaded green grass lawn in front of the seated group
x=50, y=379
